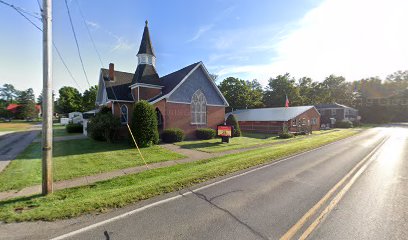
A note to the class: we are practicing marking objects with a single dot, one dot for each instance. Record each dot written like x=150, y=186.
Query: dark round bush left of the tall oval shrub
x=104, y=126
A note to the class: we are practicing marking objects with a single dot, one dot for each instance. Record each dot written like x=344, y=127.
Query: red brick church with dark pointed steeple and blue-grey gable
x=187, y=98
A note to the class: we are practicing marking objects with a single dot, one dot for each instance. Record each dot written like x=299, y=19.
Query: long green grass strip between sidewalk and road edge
x=127, y=189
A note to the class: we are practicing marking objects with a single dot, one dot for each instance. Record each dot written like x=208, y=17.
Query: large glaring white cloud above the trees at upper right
x=355, y=39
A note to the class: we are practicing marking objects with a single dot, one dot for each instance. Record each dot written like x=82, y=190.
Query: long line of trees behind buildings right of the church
x=367, y=95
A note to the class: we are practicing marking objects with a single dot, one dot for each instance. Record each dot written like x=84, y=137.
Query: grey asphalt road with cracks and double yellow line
x=267, y=202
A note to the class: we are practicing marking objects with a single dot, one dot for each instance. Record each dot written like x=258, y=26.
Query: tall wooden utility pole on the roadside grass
x=47, y=103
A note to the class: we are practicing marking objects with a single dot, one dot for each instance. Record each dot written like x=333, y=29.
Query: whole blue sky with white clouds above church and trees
x=239, y=38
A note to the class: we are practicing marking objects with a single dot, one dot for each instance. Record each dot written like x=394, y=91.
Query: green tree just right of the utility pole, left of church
x=70, y=100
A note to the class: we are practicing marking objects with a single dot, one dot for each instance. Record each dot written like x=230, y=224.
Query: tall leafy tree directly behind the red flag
x=277, y=90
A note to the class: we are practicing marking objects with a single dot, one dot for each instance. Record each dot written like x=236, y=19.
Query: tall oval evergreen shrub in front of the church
x=144, y=124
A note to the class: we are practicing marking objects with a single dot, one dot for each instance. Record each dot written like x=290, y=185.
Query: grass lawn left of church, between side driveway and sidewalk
x=75, y=158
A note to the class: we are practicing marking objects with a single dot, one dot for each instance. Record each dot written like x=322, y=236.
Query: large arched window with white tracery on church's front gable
x=198, y=108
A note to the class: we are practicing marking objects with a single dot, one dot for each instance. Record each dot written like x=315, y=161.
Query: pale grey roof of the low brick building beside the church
x=270, y=114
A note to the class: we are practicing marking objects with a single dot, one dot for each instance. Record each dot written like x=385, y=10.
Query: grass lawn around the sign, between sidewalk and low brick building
x=248, y=139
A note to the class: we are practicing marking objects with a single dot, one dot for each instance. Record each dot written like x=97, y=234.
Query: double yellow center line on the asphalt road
x=295, y=228
